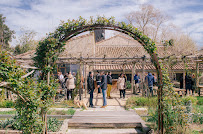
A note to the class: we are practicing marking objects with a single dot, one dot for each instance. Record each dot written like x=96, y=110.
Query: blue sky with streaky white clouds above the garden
x=43, y=16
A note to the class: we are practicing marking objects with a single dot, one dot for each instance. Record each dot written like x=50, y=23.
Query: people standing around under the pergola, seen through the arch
x=103, y=83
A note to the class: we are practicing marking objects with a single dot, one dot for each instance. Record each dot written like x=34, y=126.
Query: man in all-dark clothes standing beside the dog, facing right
x=90, y=85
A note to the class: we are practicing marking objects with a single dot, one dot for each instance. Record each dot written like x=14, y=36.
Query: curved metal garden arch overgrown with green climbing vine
x=49, y=49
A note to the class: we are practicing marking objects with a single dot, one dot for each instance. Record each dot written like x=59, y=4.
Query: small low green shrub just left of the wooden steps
x=54, y=125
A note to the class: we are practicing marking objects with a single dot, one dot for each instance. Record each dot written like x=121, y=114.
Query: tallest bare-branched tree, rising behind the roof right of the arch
x=148, y=19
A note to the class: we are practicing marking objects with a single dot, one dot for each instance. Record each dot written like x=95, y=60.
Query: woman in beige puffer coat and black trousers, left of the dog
x=70, y=84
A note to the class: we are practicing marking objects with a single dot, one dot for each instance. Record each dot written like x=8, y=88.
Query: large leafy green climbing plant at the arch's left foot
x=33, y=98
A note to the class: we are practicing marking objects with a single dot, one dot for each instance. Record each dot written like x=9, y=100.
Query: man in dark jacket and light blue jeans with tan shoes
x=104, y=87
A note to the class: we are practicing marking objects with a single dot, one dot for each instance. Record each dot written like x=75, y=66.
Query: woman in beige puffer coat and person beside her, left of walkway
x=67, y=82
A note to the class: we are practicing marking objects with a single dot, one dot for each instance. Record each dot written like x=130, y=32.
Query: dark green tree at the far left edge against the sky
x=6, y=34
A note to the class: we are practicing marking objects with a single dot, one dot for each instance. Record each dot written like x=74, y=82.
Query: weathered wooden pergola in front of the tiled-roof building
x=90, y=63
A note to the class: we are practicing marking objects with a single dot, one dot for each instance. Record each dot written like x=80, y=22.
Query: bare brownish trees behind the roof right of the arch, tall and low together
x=152, y=22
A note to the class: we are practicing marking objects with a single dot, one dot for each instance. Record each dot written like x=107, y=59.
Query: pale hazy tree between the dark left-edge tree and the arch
x=26, y=42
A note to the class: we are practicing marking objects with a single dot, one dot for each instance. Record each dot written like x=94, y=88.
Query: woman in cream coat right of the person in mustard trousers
x=121, y=85
